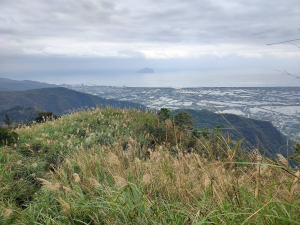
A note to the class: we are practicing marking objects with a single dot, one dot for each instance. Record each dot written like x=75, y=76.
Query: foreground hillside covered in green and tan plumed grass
x=113, y=166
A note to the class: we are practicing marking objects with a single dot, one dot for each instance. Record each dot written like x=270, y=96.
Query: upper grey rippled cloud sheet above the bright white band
x=149, y=21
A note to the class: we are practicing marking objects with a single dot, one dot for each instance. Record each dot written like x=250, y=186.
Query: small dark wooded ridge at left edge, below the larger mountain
x=20, y=114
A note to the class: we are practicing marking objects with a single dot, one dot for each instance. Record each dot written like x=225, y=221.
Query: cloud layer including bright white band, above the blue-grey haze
x=148, y=29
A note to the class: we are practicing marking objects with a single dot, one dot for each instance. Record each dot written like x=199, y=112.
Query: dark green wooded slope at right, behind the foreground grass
x=254, y=132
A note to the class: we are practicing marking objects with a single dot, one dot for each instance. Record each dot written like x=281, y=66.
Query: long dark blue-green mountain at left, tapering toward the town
x=58, y=100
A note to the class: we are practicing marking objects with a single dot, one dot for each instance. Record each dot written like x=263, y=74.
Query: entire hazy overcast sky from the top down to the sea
x=48, y=39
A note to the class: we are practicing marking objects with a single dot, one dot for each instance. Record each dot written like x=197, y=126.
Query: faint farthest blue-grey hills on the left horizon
x=16, y=85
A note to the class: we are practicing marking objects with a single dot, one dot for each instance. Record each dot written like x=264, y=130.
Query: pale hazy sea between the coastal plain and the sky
x=175, y=79
